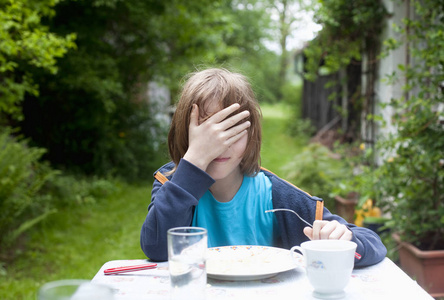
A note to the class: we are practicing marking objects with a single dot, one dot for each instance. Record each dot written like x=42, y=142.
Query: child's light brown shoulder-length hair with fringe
x=229, y=88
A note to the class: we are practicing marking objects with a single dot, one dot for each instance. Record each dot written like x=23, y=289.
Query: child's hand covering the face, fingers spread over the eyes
x=214, y=135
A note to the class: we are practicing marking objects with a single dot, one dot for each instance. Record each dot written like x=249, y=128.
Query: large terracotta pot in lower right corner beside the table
x=426, y=267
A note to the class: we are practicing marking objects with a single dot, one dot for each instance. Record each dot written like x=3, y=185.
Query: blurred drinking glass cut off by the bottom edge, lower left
x=74, y=289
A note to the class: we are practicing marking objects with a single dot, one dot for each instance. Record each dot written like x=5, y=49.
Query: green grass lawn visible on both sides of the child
x=77, y=241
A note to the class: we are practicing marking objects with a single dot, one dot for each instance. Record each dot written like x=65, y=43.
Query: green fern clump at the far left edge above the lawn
x=21, y=178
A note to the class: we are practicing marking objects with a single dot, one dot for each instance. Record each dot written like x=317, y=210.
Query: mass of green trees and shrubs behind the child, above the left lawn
x=73, y=86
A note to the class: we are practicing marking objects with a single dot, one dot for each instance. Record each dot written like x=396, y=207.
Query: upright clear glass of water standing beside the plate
x=187, y=247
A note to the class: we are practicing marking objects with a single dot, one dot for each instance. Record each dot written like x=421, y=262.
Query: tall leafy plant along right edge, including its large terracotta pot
x=411, y=179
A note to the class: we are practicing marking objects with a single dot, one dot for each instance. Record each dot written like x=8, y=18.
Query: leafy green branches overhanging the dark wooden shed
x=349, y=28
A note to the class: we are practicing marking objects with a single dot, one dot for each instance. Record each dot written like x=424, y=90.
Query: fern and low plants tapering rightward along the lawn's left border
x=31, y=190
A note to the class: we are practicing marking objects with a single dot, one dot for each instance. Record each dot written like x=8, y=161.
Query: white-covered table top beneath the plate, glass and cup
x=384, y=280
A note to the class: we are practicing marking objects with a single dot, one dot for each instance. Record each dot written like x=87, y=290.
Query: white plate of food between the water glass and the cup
x=249, y=262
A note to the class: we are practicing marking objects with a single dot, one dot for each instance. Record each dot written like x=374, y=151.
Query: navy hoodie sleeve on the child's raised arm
x=172, y=205
